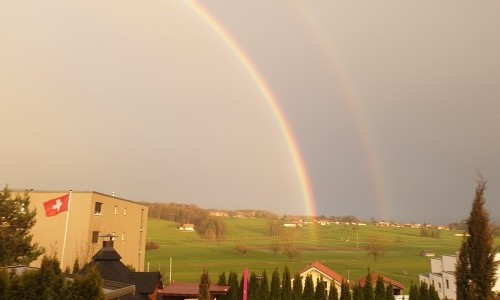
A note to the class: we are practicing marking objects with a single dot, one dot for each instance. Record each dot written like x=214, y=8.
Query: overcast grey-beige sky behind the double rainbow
x=394, y=104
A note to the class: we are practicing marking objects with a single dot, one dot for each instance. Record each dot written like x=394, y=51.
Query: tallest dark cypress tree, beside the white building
x=475, y=270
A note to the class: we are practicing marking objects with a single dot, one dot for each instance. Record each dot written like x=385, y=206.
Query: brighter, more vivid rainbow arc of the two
x=267, y=93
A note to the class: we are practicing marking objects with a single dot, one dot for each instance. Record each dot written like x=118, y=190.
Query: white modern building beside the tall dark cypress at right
x=442, y=276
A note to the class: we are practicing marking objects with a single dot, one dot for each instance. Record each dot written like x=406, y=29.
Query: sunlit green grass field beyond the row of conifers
x=339, y=247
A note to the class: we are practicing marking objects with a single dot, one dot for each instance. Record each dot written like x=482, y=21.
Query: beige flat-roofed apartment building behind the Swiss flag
x=92, y=217
